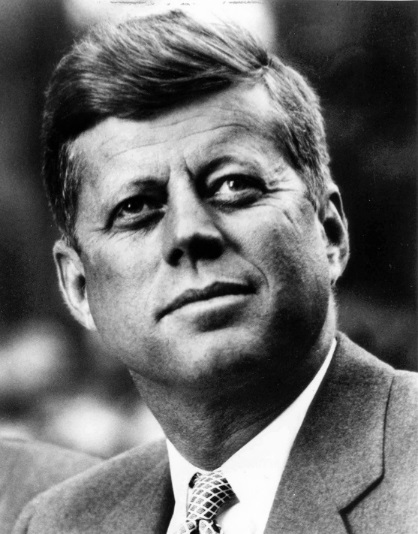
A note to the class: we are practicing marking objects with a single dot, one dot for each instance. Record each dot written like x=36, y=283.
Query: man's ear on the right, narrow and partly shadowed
x=335, y=228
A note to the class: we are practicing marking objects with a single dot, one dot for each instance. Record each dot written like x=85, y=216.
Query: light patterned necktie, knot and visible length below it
x=210, y=493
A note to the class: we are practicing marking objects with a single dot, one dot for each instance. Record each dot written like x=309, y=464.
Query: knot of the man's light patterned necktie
x=210, y=492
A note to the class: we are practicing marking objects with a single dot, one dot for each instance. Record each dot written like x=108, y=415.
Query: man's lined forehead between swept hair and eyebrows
x=208, y=124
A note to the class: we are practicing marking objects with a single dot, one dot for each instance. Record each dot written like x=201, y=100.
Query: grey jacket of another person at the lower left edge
x=28, y=468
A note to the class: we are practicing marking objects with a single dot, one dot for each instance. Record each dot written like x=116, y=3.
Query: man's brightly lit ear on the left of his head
x=72, y=282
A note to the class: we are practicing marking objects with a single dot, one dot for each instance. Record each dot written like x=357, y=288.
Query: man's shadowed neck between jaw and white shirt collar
x=207, y=426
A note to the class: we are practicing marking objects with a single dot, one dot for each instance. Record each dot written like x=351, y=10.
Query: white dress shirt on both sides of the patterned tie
x=254, y=472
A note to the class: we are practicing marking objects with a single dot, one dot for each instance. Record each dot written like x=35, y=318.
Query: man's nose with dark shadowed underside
x=190, y=232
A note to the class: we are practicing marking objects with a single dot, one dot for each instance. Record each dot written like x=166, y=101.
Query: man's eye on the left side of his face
x=137, y=211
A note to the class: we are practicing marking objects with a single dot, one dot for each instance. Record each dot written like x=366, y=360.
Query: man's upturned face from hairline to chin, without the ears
x=201, y=253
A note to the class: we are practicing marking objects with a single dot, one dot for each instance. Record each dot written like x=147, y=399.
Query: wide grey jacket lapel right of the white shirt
x=338, y=454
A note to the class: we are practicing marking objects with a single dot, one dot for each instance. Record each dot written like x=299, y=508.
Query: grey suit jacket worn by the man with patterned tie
x=353, y=467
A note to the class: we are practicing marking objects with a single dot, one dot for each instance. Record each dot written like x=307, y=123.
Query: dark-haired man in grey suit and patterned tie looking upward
x=202, y=237
